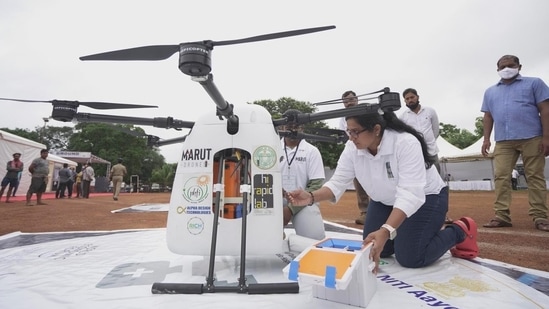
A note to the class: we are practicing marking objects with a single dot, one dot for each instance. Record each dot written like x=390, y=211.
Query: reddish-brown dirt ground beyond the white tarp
x=520, y=245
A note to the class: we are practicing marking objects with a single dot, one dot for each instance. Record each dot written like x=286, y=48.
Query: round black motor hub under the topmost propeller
x=194, y=59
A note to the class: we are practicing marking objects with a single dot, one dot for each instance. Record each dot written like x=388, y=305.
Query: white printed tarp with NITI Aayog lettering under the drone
x=116, y=269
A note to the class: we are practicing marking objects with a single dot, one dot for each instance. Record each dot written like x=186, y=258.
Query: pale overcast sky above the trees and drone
x=447, y=50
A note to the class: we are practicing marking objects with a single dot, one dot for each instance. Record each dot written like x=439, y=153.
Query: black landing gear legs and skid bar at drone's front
x=241, y=287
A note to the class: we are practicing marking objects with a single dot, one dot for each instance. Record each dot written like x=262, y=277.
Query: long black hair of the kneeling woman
x=390, y=120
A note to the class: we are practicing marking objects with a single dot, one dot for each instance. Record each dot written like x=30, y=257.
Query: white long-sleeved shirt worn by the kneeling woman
x=395, y=176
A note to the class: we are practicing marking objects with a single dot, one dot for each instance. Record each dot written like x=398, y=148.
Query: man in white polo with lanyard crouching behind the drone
x=302, y=167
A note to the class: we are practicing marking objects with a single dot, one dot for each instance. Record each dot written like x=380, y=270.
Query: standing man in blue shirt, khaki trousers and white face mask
x=517, y=108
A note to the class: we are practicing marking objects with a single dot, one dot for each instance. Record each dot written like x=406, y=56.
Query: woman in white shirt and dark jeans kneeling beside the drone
x=408, y=198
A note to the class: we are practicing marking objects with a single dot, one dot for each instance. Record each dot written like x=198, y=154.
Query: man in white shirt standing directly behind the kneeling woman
x=425, y=120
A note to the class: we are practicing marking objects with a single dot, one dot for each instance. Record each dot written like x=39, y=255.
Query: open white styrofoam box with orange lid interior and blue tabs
x=339, y=270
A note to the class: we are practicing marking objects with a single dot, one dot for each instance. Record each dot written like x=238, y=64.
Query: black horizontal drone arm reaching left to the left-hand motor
x=158, y=122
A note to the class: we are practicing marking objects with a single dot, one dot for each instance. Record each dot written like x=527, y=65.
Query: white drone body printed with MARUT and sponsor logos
x=250, y=177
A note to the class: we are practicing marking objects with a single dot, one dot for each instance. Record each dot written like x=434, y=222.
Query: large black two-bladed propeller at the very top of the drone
x=161, y=52
